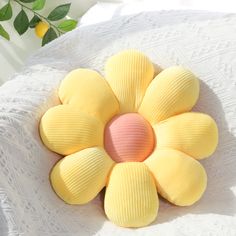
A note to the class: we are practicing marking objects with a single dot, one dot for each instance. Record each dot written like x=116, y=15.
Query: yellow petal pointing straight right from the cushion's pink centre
x=195, y=134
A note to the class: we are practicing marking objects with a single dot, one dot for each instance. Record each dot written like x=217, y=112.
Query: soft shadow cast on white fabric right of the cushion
x=220, y=167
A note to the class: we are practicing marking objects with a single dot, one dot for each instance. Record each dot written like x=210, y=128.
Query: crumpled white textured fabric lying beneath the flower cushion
x=201, y=41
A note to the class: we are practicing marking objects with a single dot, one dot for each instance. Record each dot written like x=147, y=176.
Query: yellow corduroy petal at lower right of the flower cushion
x=180, y=179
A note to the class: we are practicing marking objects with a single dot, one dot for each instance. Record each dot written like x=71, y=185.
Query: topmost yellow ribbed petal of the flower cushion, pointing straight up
x=129, y=74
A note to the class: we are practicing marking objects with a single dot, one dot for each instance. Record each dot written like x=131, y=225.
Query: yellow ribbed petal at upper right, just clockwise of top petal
x=173, y=91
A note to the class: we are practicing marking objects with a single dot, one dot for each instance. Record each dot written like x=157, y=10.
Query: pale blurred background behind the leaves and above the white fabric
x=14, y=53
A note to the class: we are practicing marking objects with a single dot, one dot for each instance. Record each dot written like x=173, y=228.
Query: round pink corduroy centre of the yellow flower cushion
x=128, y=137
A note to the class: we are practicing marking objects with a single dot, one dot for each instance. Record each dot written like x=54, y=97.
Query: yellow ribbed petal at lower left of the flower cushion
x=79, y=177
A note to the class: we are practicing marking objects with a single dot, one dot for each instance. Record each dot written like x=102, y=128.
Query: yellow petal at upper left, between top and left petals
x=90, y=92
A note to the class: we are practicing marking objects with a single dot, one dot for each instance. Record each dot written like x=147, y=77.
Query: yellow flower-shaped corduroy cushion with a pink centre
x=131, y=133
